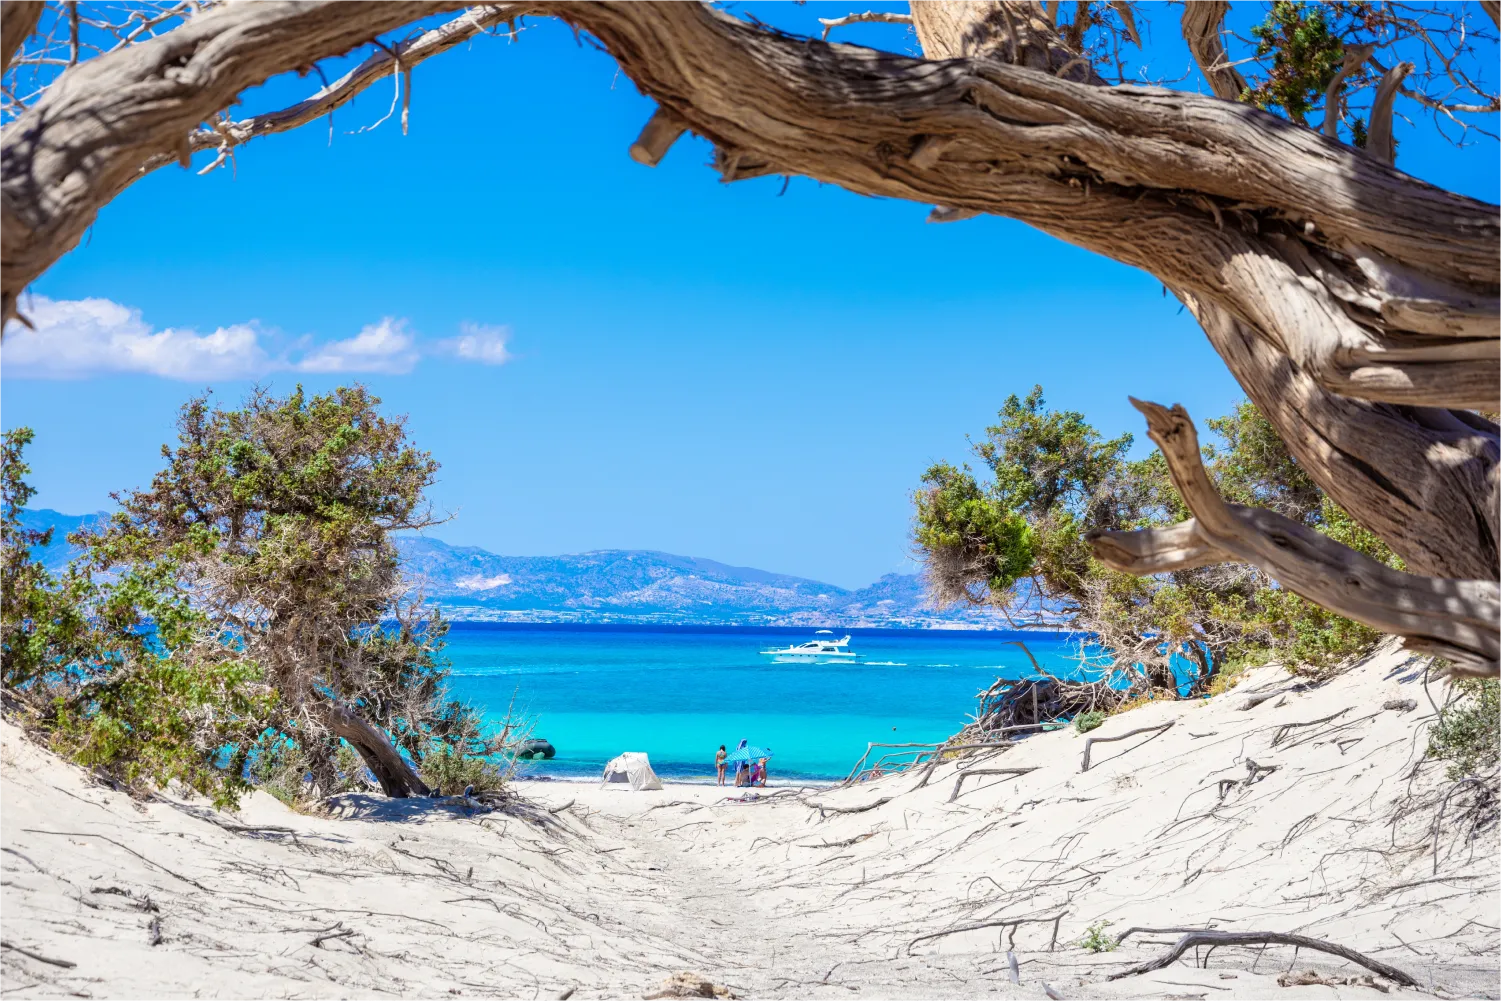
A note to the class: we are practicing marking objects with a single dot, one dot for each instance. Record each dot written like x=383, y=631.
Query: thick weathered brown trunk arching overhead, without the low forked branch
x=1355, y=304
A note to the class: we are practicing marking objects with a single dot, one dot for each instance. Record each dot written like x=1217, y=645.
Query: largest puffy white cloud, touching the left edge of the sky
x=95, y=335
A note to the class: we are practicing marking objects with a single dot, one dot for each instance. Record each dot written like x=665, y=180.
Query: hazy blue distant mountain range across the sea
x=630, y=586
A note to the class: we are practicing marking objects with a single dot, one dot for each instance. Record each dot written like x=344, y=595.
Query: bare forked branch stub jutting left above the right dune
x=1458, y=621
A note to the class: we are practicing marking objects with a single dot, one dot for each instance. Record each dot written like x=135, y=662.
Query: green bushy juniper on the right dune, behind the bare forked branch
x=1053, y=481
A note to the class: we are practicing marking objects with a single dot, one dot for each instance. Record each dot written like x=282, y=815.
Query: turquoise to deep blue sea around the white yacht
x=679, y=693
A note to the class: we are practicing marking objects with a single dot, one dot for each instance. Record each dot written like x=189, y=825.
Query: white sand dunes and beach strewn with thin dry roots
x=619, y=891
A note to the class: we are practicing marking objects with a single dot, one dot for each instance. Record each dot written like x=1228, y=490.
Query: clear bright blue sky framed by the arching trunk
x=703, y=368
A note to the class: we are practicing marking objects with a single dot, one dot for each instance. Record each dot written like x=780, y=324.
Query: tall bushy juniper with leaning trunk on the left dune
x=268, y=538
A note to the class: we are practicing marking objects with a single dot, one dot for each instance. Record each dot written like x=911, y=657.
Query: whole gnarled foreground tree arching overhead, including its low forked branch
x=1359, y=308
